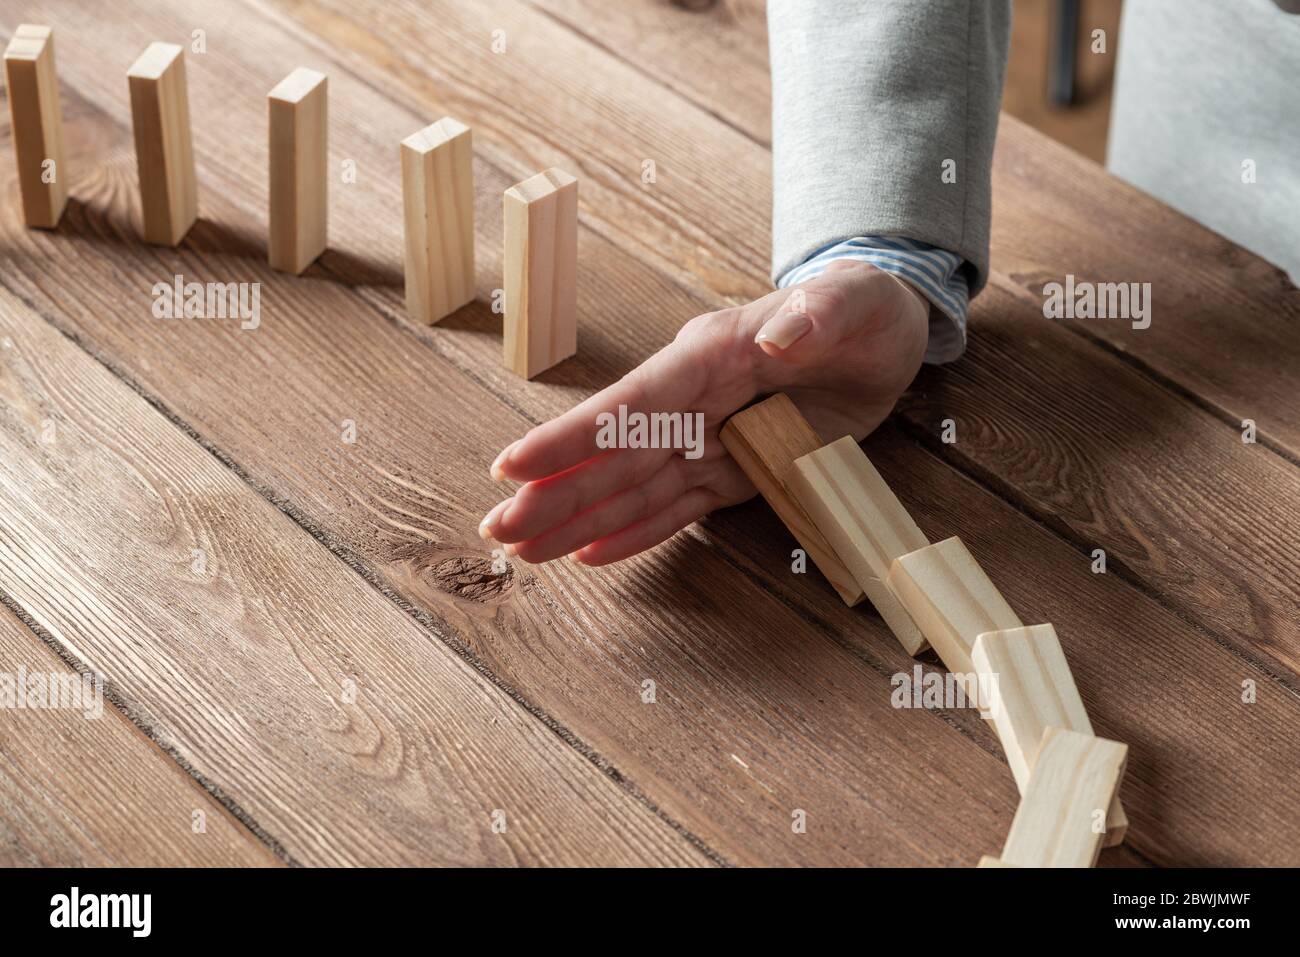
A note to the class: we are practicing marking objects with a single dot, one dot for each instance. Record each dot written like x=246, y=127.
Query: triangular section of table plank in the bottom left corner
x=83, y=787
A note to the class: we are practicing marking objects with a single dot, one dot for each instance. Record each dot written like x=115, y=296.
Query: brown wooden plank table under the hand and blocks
x=306, y=653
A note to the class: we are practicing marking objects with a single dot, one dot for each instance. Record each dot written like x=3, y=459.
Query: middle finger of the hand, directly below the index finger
x=549, y=503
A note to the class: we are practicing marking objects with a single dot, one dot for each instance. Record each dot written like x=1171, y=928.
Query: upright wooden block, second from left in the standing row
x=161, y=116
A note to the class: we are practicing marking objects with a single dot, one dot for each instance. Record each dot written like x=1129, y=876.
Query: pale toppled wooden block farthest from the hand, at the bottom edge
x=1074, y=781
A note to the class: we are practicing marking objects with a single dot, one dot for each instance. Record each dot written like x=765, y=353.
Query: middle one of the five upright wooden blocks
x=298, y=120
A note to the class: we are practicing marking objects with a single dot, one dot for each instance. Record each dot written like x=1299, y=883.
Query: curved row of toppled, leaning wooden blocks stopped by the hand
x=853, y=527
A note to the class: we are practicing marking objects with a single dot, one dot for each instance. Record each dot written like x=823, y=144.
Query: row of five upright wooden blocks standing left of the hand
x=437, y=192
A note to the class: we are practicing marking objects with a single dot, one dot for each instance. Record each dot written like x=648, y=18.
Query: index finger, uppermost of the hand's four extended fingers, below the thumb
x=668, y=382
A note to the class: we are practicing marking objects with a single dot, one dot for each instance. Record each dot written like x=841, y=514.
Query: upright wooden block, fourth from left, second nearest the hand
x=439, y=216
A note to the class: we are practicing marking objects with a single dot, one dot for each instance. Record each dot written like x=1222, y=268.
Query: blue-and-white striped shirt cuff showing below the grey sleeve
x=934, y=272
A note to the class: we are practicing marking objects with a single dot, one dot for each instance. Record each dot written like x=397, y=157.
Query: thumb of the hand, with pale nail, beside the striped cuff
x=842, y=304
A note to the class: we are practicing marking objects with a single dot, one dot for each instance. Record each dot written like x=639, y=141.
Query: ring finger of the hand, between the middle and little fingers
x=632, y=505
